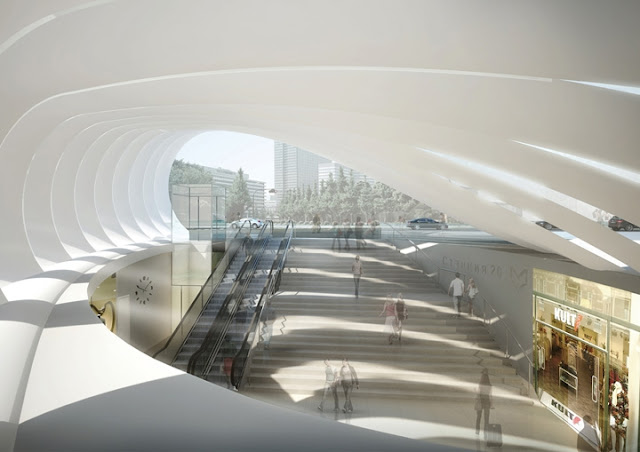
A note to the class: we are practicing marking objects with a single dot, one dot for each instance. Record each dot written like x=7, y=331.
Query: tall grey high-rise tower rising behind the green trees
x=294, y=168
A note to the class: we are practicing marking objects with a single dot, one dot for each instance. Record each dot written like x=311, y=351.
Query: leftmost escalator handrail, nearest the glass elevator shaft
x=217, y=275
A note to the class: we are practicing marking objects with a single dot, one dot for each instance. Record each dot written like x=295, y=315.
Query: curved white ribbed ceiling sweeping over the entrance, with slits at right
x=99, y=96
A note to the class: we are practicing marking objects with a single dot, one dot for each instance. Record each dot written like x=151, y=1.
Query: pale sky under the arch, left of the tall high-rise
x=232, y=150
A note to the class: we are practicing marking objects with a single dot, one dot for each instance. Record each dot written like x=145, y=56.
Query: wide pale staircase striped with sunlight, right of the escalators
x=317, y=316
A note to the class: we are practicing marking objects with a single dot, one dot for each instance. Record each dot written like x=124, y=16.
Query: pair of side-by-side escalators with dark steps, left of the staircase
x=218, y=344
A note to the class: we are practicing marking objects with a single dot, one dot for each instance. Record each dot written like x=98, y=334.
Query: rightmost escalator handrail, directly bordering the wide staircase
x=252, y=337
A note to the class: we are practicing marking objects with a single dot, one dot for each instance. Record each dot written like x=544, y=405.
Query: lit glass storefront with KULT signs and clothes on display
x=587, y=357
